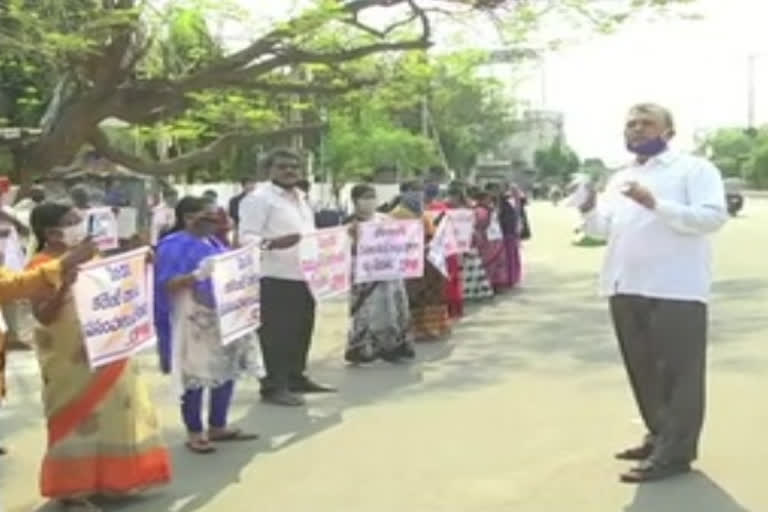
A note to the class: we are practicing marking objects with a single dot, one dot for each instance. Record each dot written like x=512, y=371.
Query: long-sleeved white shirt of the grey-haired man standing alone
x=662, y=253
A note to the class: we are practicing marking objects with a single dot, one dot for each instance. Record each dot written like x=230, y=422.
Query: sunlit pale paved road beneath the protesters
x=520, y=411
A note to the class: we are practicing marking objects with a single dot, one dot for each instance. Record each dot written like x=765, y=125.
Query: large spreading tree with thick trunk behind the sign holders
x=99, y=61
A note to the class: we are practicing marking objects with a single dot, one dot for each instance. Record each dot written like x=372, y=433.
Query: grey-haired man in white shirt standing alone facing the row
x=657, y=215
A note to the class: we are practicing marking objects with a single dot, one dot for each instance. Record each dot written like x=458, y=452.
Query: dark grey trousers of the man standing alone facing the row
x=663, y=343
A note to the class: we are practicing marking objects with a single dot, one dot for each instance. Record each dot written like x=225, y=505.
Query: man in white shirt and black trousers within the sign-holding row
x=278, y=214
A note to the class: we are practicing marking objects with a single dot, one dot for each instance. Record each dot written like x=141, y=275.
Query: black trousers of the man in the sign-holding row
x=287, y=323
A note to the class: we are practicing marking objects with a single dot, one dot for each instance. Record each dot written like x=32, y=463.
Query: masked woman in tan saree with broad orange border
x=103, y=431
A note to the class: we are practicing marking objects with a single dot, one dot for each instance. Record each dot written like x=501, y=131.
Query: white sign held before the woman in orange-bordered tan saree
x=114, y=304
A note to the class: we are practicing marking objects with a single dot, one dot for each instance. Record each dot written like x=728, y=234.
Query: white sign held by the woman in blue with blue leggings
x=236, y=289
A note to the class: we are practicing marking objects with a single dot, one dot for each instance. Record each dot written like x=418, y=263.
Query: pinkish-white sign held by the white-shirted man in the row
x=325, y=261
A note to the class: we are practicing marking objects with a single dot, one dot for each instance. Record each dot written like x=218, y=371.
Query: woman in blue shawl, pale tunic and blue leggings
x=186, y=323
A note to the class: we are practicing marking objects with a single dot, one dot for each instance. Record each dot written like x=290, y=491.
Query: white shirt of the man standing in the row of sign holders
x=271, y=212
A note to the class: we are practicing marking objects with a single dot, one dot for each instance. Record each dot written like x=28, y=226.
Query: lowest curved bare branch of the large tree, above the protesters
x=201, y=156
